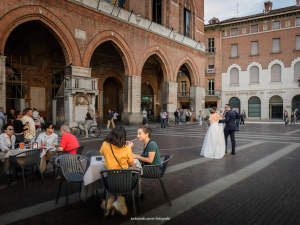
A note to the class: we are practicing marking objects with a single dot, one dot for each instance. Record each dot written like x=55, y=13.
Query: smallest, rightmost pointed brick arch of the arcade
x=191, y=66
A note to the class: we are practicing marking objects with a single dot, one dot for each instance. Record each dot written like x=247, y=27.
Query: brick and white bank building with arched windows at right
x=260, y=61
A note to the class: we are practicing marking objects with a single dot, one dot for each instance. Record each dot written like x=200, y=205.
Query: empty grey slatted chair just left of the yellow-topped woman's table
x=68, y=169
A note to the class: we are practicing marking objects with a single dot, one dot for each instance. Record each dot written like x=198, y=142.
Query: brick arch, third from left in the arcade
x=162, y=59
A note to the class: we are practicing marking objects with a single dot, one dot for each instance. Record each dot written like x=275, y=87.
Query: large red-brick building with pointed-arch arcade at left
x=61, y=56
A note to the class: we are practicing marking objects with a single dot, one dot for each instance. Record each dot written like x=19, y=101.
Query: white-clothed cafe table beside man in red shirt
x=46, y=154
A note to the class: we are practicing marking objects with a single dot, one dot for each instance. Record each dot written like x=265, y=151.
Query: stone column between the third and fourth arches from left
x=169, y=97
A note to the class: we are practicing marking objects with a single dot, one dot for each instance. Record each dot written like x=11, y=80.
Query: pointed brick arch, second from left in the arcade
x=120, y=45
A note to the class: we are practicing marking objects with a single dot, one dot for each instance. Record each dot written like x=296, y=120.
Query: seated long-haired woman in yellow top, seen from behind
x=117, y=155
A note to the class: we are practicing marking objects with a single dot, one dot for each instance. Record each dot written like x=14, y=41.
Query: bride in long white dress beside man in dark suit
x=214, y=142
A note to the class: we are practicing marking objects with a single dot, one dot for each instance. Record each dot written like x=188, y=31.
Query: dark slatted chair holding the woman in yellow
x=119, y=182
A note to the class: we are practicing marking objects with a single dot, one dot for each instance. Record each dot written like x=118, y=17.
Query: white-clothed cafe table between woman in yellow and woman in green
x=92, y=176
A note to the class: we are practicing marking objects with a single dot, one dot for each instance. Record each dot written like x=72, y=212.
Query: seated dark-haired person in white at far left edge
x=7, y=140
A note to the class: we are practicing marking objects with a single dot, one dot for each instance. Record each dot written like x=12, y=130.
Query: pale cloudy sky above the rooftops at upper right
x=225, y=9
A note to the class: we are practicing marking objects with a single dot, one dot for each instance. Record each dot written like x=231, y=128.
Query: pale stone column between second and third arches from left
x=132, y=100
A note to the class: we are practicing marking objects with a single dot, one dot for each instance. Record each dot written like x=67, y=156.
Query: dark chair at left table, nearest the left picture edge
x=32, y=159
